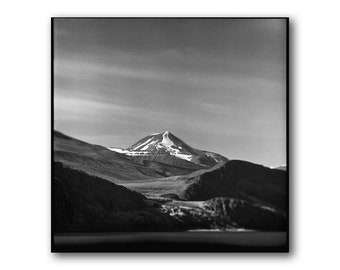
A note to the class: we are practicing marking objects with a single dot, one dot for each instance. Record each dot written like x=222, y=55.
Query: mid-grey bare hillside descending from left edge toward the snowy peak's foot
x=100, y=161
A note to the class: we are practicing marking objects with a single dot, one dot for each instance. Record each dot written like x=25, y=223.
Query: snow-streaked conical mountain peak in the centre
x=167, y=148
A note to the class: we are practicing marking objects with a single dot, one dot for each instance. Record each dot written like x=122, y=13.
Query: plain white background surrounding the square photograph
x=25, y=133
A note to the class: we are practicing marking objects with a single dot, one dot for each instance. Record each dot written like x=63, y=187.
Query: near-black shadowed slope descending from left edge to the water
x=85, y=203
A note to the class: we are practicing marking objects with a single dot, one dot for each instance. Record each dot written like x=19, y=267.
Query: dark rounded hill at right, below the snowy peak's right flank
x=239, y=179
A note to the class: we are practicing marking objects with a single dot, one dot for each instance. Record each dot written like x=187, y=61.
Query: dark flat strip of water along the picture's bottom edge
x=209, y=241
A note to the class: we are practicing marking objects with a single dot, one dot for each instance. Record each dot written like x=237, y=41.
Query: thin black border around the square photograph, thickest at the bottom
x=161, y=245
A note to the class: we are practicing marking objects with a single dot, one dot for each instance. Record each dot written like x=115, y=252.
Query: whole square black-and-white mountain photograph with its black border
x=170, y=134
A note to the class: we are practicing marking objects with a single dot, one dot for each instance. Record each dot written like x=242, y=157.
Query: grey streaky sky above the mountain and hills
x=218, y=84
